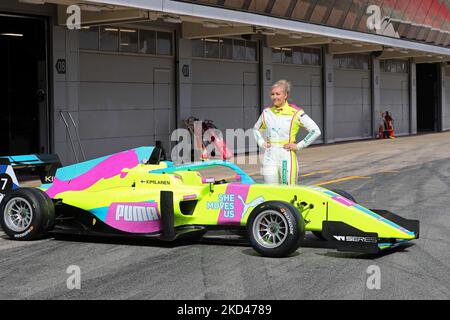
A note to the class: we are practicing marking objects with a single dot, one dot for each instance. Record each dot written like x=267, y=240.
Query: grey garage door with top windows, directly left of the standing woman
x=225, y=83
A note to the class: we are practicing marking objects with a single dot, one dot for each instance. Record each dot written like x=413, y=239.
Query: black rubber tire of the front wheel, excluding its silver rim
x=295, y=224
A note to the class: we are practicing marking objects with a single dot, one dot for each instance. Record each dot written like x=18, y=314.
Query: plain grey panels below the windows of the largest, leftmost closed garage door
x=125, y=101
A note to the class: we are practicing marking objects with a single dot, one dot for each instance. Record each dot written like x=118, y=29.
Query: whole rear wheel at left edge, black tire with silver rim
x=27, y=214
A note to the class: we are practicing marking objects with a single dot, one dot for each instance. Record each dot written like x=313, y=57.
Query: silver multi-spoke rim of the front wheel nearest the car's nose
x=270, y=229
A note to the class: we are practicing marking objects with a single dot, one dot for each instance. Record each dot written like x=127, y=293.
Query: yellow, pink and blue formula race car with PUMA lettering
x=138, y=193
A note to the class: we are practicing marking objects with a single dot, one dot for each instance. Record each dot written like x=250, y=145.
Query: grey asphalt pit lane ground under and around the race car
x=409, y=176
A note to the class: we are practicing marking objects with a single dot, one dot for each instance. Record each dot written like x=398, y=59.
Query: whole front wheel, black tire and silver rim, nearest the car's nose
x=275, y=229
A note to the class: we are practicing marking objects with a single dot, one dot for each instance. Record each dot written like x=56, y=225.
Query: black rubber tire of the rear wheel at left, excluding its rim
x=43, y=214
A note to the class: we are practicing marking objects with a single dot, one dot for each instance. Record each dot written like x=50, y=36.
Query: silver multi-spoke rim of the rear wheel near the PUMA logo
x=18, y=214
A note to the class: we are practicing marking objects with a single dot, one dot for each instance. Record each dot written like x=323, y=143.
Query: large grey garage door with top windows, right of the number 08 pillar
x=127, y=90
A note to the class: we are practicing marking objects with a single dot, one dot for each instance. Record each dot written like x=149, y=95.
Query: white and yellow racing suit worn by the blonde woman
x=280, y=166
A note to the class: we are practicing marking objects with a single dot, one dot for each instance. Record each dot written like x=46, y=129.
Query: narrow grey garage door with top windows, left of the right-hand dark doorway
x=394, y=82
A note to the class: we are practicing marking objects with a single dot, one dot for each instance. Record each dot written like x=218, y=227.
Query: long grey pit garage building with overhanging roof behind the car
x=87, y=78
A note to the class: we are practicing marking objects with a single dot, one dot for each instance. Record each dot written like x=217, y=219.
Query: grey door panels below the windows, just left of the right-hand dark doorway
x=395, y=98
